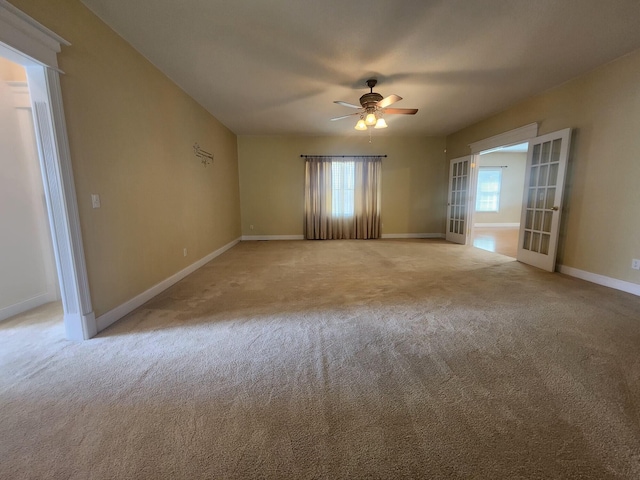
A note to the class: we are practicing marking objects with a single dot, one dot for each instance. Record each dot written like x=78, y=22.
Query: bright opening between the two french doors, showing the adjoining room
x=497, y=206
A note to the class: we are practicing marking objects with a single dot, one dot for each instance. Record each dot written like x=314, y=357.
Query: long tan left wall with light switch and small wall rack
x=131, y=132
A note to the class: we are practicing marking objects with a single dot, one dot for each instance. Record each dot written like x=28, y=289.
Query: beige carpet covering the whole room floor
x=337, y=360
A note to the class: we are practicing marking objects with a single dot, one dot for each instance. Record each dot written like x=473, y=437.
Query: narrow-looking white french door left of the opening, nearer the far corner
x=458, y=199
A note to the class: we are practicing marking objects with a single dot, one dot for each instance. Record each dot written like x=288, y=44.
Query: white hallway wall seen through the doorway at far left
x=27, y=266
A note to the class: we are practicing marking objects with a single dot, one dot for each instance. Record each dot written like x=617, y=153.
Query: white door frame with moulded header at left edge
x=27, y=42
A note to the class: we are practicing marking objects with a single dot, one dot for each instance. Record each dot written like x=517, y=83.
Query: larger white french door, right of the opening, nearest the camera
x=542, y=199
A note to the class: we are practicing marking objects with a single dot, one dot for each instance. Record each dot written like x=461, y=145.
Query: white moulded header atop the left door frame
x=26, y=37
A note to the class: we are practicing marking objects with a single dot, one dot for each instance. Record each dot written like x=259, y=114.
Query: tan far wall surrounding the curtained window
x=414, y=180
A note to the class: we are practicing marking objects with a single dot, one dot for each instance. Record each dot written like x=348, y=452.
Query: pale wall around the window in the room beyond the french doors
x=512, y=187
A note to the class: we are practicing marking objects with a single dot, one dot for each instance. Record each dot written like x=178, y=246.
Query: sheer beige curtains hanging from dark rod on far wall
x=321, y=221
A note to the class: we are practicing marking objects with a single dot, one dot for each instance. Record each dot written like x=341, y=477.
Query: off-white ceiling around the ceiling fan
x=276, y=66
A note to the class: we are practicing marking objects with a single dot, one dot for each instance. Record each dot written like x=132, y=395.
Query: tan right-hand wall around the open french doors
x=599, y=231
